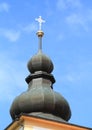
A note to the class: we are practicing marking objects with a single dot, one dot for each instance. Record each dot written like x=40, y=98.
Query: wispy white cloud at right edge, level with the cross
x=81, y=20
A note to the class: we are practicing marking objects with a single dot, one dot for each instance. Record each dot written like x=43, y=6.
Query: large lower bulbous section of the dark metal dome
x=41, y=98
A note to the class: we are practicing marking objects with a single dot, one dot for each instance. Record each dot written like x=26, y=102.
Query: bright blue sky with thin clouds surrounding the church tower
x=67, y=41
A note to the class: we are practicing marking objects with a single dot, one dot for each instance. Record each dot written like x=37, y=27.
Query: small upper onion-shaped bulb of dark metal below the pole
x=40, y=62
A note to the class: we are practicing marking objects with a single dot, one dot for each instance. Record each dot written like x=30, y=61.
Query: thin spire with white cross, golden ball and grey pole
x=40, y=32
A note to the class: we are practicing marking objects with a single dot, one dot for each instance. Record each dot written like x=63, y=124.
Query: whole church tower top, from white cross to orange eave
x=40, y=107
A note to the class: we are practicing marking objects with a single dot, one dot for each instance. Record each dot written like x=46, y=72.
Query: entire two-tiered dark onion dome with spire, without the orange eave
x=40, y=100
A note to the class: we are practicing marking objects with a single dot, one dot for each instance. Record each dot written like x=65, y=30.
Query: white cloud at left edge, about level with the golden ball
x=11, y=35
